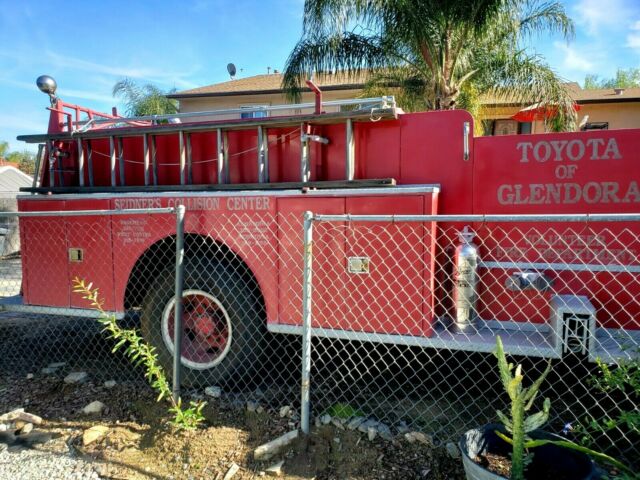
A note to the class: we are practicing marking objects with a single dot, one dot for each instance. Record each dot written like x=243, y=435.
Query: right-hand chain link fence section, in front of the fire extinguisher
x=399, y=326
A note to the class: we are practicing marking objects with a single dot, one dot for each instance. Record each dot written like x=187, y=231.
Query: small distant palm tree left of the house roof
x=144, y=100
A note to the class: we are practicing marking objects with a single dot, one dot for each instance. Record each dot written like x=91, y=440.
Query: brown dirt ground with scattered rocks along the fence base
x=141, y=444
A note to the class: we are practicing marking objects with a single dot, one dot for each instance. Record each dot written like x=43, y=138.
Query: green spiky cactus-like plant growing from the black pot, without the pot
x=518, y=426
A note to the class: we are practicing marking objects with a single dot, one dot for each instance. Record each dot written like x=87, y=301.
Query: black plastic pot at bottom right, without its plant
x=562, y=462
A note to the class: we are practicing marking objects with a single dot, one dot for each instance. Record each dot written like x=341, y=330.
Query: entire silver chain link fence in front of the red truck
x=400, y=334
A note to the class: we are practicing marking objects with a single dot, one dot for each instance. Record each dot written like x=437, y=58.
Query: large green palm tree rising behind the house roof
x=434, y=54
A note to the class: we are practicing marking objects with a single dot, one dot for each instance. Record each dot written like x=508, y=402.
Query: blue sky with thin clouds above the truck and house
x=88, y=46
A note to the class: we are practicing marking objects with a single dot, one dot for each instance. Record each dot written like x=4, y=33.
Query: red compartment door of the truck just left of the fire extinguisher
x=390, y=298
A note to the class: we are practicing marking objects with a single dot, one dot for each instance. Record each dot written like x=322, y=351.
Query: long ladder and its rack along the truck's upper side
x=147, y=127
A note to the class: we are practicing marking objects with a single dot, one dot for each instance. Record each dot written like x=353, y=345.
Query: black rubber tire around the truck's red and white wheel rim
x=243, y=304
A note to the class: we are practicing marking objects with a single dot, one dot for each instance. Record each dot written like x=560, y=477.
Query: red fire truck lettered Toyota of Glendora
x=366, y=157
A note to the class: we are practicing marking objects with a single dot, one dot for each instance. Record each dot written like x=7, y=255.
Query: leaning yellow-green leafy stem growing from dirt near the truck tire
x=141, y=353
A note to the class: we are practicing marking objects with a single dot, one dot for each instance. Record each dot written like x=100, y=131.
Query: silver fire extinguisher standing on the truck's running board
x=465, y=278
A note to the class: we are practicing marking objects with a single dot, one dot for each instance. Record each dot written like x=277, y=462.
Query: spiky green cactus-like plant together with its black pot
x=517, y=448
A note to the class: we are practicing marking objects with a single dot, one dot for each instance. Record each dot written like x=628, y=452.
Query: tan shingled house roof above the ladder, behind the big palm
x=271, y=83
